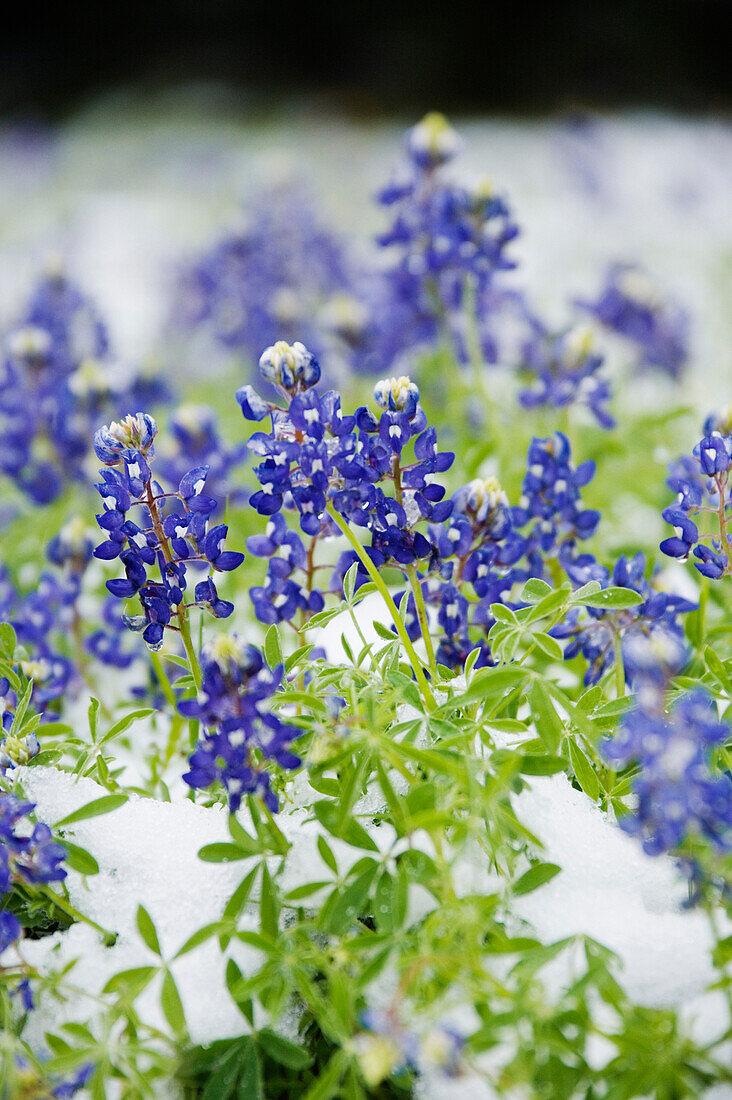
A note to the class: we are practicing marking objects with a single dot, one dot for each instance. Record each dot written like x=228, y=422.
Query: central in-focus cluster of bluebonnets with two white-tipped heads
x=315, y=458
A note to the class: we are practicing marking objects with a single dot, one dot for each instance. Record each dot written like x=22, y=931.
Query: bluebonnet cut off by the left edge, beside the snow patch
x=28, y=855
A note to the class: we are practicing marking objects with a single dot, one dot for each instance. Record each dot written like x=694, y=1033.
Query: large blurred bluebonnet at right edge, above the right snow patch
x=680, y=793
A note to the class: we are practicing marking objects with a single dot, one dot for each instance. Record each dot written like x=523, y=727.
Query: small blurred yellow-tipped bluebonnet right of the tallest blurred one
x=565, y=371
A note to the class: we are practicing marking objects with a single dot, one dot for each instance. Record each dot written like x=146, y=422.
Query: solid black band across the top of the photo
x=367, y=60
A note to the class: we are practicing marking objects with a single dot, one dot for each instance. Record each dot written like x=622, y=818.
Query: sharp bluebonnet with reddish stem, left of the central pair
x=172, y=534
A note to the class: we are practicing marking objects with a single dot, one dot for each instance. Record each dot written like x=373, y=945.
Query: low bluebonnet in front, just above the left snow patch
x=243, y=736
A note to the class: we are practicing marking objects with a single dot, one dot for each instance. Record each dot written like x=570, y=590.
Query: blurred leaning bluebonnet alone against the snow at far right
x=632, y=306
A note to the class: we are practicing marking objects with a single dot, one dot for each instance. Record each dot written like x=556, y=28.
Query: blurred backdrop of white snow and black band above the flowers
x=135, y=137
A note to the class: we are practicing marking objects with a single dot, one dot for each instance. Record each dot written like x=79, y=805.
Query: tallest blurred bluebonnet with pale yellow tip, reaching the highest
x=449, y=245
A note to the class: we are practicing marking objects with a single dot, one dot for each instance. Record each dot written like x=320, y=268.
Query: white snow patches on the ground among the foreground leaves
x=148, y=852
